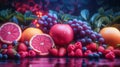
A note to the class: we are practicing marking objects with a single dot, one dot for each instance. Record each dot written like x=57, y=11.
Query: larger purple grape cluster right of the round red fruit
x=84, y=33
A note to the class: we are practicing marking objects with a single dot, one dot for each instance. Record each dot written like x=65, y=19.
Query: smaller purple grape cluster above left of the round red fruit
x=47, y=21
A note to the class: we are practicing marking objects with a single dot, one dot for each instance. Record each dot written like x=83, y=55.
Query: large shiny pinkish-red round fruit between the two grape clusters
x=62, y=34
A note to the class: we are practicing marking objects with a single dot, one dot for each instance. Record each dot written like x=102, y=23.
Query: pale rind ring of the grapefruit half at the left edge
x=19, y=30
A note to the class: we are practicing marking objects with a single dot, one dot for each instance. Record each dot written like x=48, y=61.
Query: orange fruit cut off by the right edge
x=111, y=35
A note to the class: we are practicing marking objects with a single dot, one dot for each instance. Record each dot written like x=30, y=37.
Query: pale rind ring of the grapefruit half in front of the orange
x=38, y=51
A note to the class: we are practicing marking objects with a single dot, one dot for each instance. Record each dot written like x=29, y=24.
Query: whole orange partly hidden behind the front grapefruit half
x=29, y=32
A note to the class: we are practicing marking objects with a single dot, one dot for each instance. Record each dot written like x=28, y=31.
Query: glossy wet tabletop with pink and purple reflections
x=59, y=62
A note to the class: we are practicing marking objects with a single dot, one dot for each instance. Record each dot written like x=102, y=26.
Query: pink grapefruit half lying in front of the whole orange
x=41, y=43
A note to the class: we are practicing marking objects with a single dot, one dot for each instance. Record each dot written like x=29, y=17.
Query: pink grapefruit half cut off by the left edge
x=10, y=32
